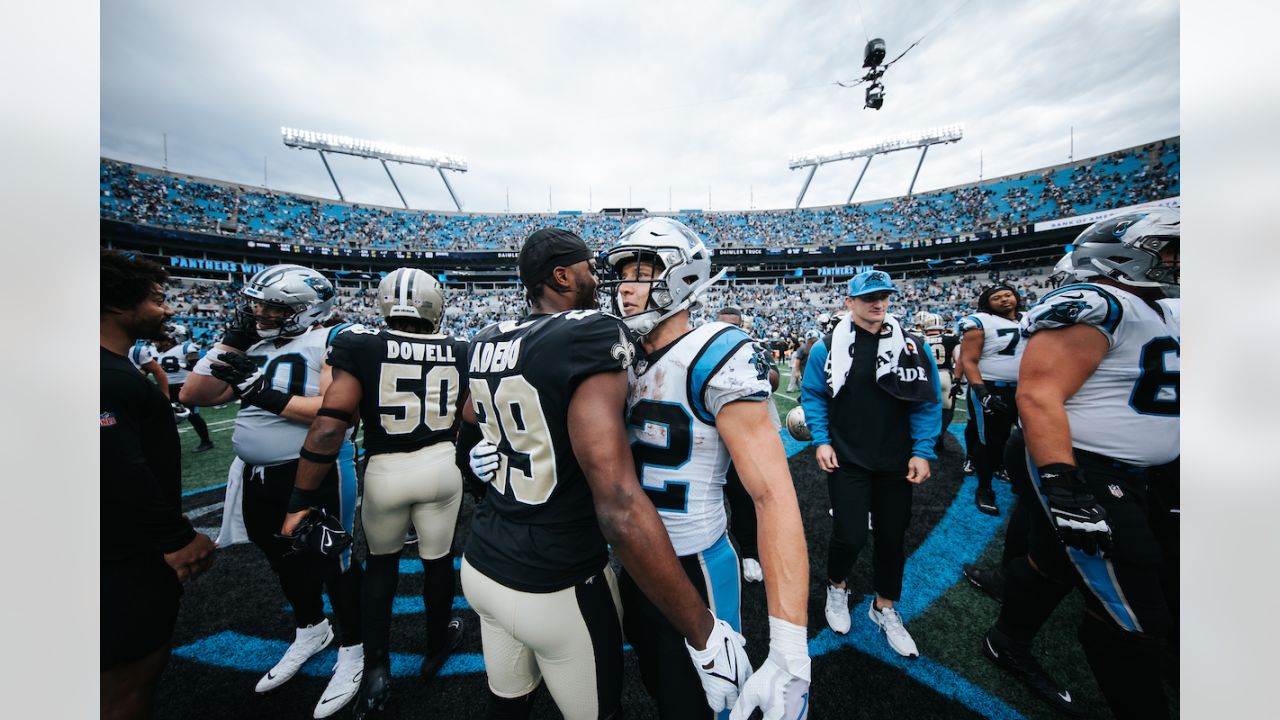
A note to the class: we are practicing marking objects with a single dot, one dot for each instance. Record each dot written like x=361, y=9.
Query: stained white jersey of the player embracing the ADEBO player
x=673, y=403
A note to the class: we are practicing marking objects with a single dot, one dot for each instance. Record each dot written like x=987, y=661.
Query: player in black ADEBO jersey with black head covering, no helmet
x=550, y=394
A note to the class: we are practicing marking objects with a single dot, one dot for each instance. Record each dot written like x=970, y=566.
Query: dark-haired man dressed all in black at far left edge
x=148, y=546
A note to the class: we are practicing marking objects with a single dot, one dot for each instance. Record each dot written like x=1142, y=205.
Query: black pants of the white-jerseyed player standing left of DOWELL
x=266, y=503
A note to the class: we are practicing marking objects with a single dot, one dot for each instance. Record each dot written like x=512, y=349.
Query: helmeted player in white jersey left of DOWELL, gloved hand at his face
x=272, y=358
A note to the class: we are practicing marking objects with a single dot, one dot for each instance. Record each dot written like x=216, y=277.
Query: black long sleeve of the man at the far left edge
x=130, y=486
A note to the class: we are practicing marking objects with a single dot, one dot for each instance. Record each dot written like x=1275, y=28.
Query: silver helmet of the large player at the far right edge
x=1127, y=249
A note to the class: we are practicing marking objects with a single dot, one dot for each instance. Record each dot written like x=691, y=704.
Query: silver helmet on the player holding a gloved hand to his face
x=304, y=295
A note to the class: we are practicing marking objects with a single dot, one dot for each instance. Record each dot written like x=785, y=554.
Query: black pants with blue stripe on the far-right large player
x=1128, y=612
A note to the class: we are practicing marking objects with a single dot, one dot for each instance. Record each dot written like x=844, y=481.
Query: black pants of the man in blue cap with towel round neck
x=857, y=493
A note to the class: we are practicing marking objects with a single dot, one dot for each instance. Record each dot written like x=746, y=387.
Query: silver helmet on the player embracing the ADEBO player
x=683, y=270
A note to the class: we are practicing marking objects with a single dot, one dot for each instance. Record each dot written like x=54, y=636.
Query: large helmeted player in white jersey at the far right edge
x=1099, y=395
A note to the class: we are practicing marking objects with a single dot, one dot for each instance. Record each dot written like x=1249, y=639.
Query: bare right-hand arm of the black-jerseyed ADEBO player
x=627, y=516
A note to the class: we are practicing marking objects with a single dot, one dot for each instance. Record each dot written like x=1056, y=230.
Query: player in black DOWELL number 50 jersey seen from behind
x=415, y=379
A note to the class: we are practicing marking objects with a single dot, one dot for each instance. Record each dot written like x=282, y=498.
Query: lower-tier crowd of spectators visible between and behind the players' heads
x=772, y=311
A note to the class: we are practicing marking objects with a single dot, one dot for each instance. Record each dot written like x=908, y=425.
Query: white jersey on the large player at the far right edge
x=1128, y=409
